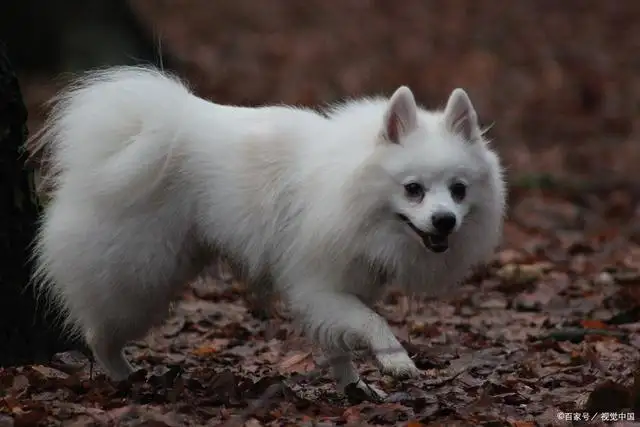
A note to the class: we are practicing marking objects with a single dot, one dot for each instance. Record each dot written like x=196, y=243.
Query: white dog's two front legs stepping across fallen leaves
x=341, y=324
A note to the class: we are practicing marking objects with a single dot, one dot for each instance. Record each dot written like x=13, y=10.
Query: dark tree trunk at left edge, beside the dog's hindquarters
x=27, y=334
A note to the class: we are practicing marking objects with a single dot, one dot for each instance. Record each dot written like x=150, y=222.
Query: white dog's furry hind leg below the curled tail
x=115, y=283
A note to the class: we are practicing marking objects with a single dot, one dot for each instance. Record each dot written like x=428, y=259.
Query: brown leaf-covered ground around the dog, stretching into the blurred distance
x=550, y=328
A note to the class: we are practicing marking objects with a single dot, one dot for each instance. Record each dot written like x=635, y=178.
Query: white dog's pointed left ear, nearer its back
x=401, y=116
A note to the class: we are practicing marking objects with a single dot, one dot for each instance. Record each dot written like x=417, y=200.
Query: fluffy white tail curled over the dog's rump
x=113, y=127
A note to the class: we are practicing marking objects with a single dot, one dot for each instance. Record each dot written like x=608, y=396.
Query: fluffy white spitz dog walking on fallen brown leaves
x=151, y=181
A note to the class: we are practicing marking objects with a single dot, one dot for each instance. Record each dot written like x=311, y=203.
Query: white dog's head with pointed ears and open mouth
x=441, y=168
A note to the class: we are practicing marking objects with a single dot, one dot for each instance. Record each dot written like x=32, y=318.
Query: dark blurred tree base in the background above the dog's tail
x=75, y=35
